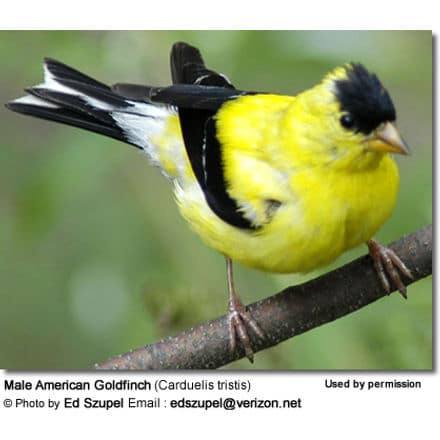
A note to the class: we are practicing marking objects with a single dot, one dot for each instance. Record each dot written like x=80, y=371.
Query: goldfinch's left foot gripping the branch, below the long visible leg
x=239, y=322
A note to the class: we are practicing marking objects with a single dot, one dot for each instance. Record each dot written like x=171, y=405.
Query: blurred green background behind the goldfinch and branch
x=94, y=257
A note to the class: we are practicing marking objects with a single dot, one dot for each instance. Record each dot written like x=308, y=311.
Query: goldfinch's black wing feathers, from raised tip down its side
x=198, y=93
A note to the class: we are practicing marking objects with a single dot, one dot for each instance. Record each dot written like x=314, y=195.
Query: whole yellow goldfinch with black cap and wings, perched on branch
x=277, y=183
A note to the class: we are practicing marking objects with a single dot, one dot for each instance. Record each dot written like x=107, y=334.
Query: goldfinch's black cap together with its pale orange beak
x=368, y=109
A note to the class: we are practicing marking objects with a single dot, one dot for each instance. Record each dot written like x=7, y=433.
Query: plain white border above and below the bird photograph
x=326, y=414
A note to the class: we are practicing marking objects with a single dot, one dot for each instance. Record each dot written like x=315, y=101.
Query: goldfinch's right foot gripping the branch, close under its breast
x=388, y=264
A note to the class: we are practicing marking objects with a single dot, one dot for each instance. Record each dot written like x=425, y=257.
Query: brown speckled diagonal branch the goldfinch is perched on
x=291, y=312
